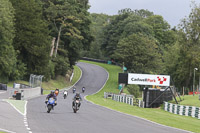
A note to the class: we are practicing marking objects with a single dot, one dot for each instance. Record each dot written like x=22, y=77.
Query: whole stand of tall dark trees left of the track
x=42, y=37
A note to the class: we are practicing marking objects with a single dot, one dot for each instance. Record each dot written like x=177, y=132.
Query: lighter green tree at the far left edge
x=7, y=33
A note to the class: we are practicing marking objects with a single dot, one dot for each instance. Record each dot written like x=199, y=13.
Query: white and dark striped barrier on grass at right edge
x=182, y=110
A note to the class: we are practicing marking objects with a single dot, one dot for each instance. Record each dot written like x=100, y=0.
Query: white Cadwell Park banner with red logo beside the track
x=147, y=79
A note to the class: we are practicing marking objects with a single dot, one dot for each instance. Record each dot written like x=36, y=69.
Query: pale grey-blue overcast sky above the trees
x=171, y=10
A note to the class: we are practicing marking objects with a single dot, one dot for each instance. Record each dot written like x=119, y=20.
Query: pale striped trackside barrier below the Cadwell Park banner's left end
x=128, y=99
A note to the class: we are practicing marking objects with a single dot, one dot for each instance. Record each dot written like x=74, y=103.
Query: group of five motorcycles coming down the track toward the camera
x=75, y=104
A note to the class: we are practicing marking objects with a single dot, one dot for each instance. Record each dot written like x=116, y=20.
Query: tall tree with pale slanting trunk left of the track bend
x=69, y=23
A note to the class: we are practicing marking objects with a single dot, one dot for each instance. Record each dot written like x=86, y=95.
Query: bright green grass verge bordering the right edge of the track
x=154, y=114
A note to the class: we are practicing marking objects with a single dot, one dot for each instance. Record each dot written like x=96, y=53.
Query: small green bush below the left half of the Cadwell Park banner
x=134, y=90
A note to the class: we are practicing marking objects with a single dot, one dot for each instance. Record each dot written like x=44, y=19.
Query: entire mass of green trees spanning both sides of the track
x=47, y=37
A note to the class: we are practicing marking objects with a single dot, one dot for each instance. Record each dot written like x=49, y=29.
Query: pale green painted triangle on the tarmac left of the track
x=19, y=104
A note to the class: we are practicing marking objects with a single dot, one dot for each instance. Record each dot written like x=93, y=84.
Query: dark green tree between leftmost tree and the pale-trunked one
x=32, y=38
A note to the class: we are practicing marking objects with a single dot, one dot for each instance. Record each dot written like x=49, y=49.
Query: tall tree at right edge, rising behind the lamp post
x=186, y=56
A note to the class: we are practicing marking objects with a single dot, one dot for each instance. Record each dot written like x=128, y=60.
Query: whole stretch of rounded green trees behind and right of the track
x=145, y=43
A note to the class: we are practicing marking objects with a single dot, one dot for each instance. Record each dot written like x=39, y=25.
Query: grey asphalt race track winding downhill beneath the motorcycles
x=90, y=118
